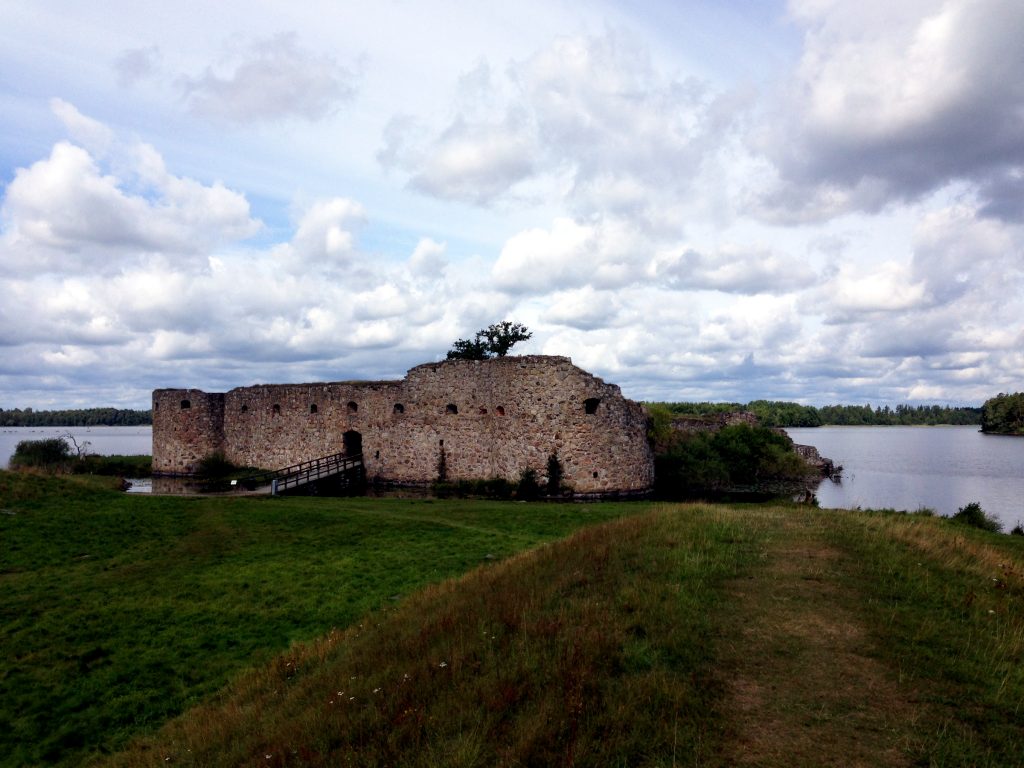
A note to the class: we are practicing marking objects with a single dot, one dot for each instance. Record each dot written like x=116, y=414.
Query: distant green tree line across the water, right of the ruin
x=785, y=414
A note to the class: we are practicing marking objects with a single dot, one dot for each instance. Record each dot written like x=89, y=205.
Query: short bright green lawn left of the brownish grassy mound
x=117, y=612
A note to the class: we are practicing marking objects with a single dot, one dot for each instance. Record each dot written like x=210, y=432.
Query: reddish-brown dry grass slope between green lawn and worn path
x=589, y=652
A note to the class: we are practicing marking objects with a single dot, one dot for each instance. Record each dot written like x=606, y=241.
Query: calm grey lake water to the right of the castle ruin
x=943, y=468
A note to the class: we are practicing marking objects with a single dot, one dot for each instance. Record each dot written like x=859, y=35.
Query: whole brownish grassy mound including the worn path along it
x=704, y=636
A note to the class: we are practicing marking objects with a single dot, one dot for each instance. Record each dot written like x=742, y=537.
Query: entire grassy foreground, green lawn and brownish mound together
x=304, y=632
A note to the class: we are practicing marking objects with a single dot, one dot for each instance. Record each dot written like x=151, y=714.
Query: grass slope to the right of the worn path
x=949, y=602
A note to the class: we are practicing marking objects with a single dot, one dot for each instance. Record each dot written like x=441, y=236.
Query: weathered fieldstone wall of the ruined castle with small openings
x=488, y=418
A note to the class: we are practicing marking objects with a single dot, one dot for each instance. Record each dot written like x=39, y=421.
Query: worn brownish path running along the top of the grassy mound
x=804, y=686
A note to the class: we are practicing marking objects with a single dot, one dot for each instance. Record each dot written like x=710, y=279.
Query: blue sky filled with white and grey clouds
x=820, y=201
